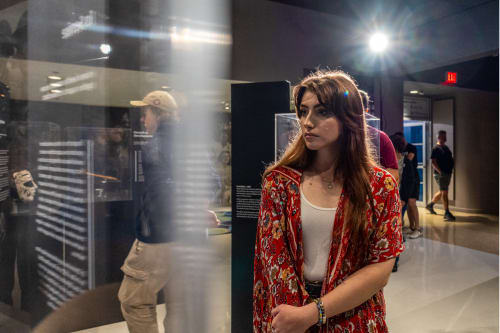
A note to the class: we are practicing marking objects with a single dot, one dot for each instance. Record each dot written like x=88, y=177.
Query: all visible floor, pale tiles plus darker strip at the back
x=439, y=287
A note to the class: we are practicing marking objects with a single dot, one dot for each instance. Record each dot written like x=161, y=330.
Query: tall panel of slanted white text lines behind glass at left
x=65, y=220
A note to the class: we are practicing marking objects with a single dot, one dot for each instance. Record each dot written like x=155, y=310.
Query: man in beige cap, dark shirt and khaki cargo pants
x=150, y=266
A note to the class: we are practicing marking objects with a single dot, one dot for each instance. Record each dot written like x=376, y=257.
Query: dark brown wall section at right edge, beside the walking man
x=476, y=151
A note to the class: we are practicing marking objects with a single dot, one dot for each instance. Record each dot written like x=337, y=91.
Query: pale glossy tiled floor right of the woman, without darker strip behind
x=443, y=288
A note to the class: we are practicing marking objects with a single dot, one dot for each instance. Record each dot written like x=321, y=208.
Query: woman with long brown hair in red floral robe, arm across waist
x=328, y=228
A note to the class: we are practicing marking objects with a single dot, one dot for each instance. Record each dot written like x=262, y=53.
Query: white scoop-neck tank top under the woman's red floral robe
x=317, y=226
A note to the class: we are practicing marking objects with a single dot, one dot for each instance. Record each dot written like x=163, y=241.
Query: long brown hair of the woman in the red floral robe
x=338, y=92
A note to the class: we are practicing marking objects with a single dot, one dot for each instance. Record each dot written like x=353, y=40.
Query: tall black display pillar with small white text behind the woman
x=253, y=108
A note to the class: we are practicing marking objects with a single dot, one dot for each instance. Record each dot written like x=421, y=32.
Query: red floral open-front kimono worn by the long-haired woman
x=279, y=252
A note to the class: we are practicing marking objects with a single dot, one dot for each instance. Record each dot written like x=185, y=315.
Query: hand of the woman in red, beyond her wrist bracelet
x=293, y=319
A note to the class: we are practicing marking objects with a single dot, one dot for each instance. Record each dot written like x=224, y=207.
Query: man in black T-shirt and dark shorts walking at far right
x=442, y=163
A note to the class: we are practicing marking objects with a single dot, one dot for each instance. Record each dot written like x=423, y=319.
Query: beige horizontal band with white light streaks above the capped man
x=99, y=86
